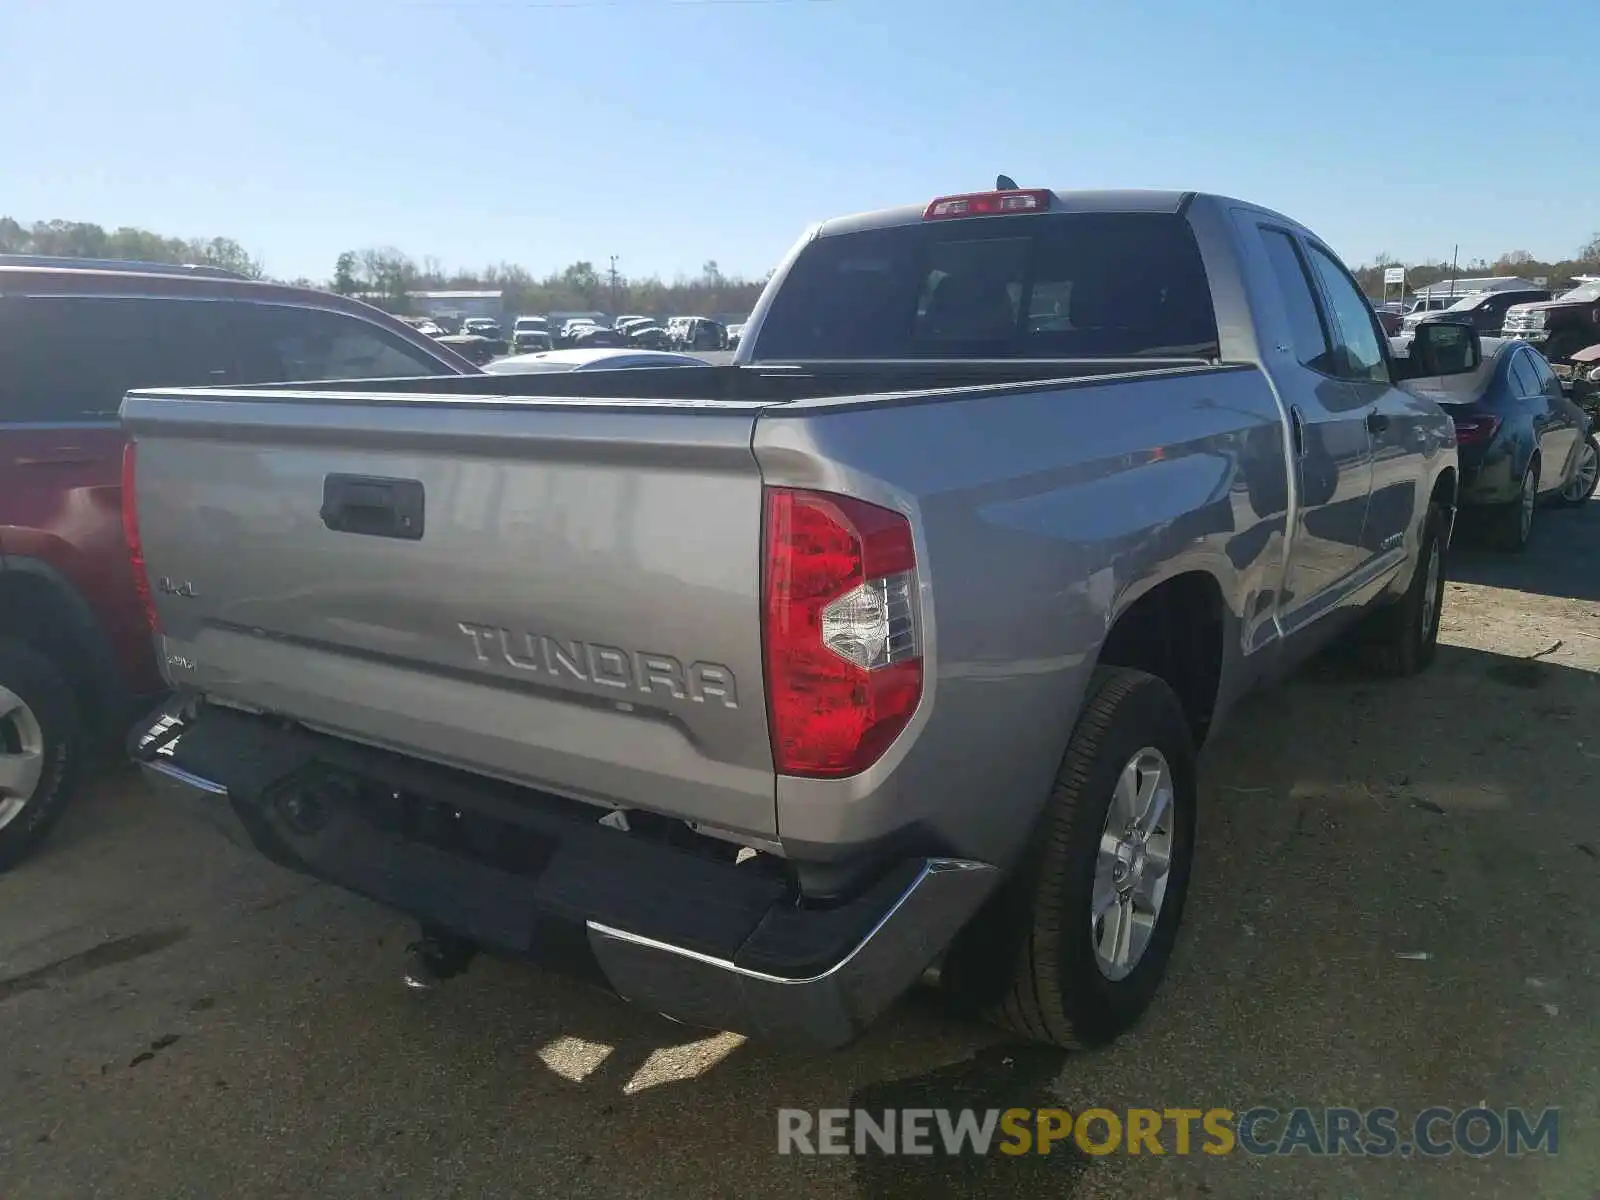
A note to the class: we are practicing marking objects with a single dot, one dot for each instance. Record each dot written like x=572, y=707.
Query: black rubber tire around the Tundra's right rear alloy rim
x=1030, y=961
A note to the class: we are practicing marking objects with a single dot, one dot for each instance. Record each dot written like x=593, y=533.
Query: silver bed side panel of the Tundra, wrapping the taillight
x=1041, y=514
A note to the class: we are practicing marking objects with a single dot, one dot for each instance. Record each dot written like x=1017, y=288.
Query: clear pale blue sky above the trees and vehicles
x=671, y=134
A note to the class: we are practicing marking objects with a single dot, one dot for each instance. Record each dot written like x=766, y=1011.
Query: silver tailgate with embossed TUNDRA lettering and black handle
x=561, y=593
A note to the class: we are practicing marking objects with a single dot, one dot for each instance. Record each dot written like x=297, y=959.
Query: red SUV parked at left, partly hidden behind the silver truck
x=76, y=657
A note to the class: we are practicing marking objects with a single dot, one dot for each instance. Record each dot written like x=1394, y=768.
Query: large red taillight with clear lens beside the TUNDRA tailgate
x=844, y=657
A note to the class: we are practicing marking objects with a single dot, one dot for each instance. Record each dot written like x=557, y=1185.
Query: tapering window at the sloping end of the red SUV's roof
x=287, y=345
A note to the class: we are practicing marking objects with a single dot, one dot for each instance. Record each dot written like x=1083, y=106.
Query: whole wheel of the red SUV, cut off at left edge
x=41, y=743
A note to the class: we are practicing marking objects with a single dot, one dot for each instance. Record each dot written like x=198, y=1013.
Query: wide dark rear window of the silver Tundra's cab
x=1082, y=286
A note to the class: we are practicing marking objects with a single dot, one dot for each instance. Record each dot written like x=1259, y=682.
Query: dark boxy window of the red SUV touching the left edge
x=70, y=359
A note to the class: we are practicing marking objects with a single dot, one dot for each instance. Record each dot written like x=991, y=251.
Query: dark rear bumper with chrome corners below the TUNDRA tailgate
x=703, y=942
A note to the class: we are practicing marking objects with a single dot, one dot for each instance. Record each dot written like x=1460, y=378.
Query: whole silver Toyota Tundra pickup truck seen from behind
x=758, y=694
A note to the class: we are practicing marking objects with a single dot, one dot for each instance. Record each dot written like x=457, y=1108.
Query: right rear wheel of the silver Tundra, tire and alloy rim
x=1074, y=948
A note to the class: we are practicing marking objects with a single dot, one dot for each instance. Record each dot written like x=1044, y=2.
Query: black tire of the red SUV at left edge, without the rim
x=49, y=705
